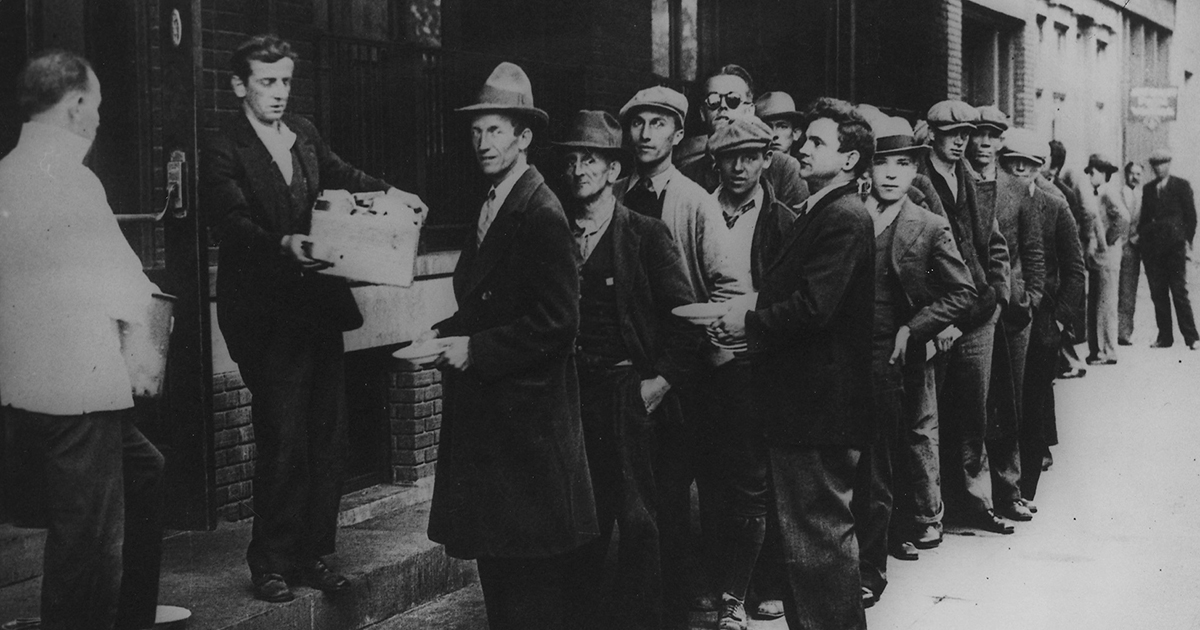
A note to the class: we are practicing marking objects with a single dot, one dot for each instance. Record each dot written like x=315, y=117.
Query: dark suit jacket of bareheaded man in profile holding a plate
x=811, y=334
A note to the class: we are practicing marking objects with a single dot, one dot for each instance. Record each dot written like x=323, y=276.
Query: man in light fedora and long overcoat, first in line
x=513, y=489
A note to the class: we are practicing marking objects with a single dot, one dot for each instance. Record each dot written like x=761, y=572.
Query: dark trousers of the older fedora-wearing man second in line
x=620, y=439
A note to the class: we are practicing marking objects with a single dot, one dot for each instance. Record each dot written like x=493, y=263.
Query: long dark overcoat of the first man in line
x=512, y=476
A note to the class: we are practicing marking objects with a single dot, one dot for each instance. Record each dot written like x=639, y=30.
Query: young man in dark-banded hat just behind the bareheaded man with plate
x=922, y=287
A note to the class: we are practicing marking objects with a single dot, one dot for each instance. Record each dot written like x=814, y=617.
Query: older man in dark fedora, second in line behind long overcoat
x=632, y=355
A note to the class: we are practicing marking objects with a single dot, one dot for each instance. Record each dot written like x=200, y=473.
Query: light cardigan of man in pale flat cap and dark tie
x=694, y=219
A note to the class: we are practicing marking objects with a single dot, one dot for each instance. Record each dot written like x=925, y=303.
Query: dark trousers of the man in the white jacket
x=94, y=482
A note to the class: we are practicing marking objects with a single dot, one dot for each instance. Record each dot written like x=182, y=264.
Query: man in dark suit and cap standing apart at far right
x=1166, y=232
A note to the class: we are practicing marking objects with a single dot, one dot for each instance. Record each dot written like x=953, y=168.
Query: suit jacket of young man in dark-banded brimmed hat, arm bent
x=938, y=286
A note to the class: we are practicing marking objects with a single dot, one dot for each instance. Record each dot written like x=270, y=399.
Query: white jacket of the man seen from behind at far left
x=67, y=277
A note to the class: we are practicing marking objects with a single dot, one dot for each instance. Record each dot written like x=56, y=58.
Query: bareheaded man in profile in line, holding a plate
x=809, y=337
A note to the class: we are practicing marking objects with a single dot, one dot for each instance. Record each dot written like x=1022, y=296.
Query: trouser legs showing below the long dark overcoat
x=525, y=593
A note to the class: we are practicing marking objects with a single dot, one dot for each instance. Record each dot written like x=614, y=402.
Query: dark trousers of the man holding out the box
x=299, y=417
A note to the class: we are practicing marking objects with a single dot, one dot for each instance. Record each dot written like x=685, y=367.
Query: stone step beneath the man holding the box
x=392, y=566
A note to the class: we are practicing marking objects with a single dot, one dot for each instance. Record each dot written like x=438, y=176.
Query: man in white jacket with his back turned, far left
x=69, y=281
